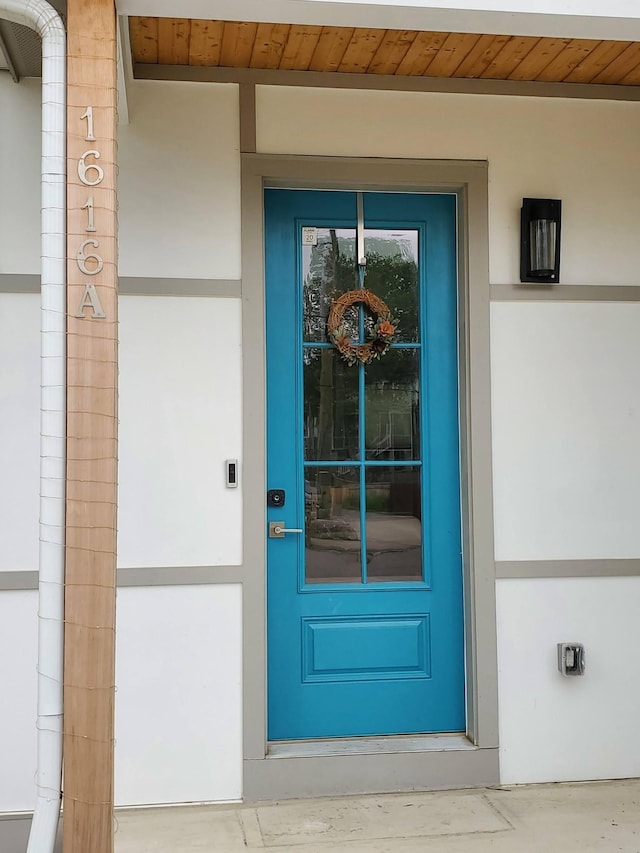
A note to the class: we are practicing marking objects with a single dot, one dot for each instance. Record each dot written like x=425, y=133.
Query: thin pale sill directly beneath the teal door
x=369, y=745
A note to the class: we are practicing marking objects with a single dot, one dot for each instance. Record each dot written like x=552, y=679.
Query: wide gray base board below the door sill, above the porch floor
x=337, y=775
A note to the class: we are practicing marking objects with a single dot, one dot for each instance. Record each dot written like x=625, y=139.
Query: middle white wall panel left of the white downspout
x=19, y=430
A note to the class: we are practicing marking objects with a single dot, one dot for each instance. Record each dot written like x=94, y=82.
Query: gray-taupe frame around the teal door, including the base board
x=317, y=769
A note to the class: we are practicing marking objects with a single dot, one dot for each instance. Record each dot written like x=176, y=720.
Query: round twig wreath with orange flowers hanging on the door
x=382, y=335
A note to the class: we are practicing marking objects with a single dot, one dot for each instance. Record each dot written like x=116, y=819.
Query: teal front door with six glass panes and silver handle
x=364, y=586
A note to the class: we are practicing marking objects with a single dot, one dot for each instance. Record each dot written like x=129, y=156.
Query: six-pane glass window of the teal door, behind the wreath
x=362, y=517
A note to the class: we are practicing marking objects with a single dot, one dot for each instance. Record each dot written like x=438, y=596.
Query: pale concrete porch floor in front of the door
x=559, y=818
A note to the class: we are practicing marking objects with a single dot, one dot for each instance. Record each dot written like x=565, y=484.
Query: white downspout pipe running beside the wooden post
x=40, y=16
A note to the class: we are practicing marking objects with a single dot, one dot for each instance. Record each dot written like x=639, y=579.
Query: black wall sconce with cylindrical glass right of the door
x=540, y=240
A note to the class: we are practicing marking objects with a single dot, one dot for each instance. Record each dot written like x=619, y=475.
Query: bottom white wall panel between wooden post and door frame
x=179, y=705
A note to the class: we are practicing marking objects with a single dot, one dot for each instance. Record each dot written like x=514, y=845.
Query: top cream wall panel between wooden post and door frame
x=179, y=182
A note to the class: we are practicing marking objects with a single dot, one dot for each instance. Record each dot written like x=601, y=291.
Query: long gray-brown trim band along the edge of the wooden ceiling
x=387, y=82
